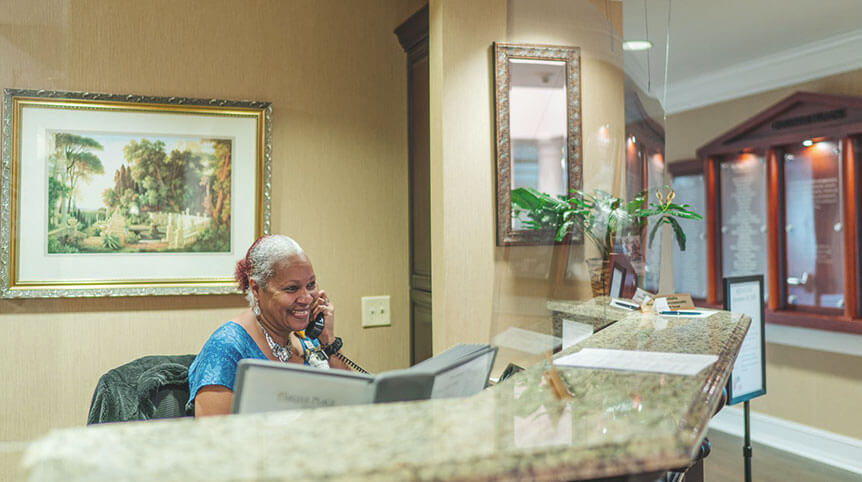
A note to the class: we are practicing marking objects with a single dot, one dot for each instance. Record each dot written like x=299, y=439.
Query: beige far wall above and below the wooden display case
x=811, y=387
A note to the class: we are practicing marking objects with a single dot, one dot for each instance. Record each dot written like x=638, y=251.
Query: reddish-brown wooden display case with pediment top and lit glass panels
x=782, y=200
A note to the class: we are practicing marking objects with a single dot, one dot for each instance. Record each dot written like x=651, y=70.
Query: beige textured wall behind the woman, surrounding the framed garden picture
x=335, y=75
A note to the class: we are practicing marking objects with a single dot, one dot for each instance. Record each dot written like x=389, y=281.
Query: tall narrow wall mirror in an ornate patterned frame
x=538, y=116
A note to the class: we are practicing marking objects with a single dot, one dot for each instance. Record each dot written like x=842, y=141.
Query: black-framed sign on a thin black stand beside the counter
x=744, y=294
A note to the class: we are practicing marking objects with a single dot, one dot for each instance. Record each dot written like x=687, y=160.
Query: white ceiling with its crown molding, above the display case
x=721, y=50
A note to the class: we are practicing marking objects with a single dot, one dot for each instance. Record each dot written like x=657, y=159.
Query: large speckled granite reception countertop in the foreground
x=616, y=423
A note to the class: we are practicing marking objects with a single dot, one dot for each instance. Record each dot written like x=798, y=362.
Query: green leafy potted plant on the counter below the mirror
x=602, y=217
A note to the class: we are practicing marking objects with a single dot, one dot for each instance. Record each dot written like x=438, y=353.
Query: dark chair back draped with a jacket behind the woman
x=150, y=387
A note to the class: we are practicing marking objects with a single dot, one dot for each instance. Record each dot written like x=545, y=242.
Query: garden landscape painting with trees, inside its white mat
x=121, y=193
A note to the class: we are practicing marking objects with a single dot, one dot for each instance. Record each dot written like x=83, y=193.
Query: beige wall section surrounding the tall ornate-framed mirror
x=479, y=289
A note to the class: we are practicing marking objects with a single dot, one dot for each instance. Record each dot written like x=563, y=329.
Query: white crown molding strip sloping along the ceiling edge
x=823, y=58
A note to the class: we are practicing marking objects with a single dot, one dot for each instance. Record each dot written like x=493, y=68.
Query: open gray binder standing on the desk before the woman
x=265, y=386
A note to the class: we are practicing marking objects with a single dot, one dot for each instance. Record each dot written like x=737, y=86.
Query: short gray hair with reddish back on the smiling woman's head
x=261, y=258
